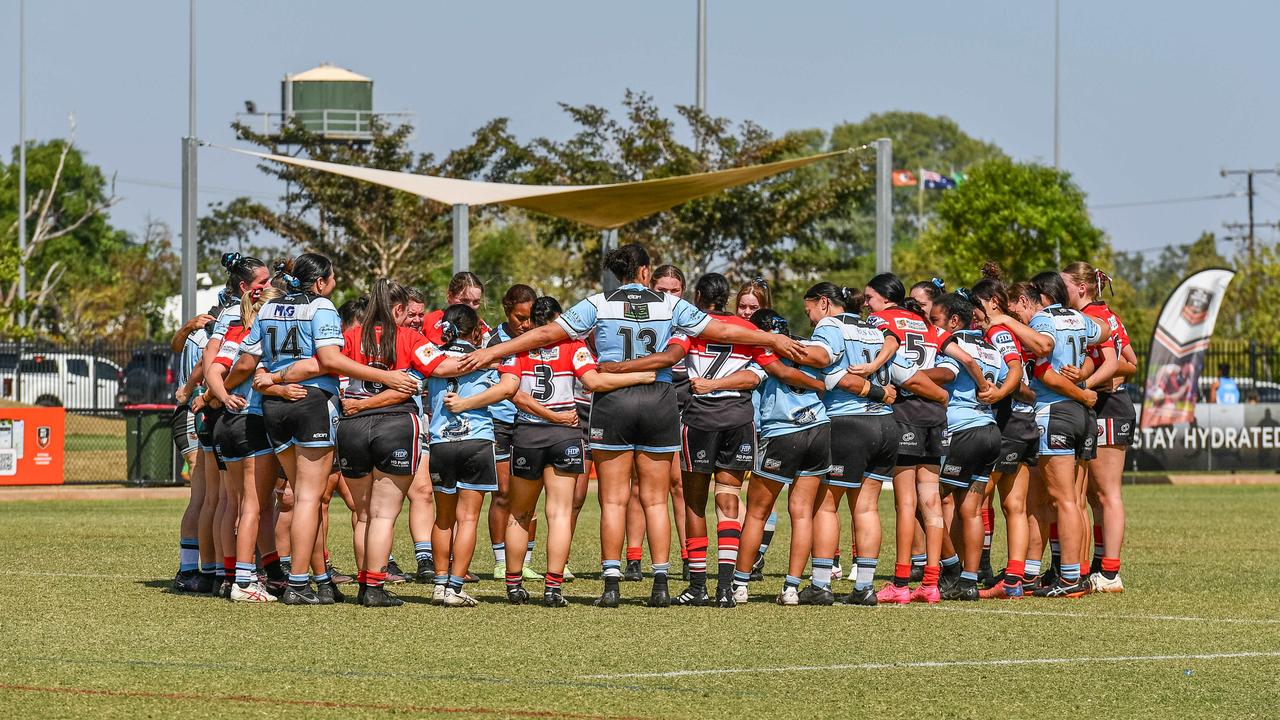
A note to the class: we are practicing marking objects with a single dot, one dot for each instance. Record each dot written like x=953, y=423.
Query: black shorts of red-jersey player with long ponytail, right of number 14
x=387, y=441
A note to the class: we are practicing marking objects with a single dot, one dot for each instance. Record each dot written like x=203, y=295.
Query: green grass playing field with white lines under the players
x=92, y=632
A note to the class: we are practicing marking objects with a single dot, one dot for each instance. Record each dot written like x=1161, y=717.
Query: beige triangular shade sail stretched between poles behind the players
x=597, y=206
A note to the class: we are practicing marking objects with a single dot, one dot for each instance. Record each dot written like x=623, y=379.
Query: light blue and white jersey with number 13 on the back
x=633, y=322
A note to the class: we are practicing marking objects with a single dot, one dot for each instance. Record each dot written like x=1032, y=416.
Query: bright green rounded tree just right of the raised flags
x=1016, y=215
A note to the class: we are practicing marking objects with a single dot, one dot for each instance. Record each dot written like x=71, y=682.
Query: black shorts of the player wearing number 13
x=637, y=418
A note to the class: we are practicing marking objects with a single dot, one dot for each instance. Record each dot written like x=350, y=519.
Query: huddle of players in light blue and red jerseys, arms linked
x=949, y=398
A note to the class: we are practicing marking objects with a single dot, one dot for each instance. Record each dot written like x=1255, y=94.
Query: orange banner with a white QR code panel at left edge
x=31, y=446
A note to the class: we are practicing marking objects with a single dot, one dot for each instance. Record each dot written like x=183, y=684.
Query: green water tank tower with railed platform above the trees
x=335, y=103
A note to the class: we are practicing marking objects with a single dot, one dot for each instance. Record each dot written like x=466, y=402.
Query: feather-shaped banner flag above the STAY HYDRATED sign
x=1178, y=345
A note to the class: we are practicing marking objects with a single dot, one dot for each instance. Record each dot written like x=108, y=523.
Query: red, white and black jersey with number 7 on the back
x=714, y=361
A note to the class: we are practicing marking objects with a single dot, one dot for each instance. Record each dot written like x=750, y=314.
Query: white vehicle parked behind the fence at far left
x=67, y=380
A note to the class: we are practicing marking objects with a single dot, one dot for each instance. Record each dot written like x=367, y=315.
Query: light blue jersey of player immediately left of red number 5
x=852, y=341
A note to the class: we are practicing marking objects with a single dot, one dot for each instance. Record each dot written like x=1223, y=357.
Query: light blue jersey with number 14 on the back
x=291, y=329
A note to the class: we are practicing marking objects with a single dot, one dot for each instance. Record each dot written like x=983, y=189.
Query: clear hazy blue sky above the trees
x=1156, y=97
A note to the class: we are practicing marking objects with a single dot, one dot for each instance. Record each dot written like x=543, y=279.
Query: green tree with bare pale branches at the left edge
x=70, y=241
